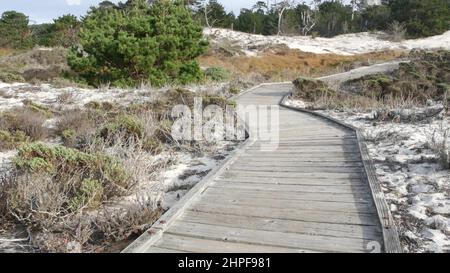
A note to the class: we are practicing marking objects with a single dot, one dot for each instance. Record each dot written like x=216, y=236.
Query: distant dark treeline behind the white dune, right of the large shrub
x=328, y=18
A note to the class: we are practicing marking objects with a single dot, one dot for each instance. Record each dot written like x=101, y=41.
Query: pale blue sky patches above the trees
x=41, y=11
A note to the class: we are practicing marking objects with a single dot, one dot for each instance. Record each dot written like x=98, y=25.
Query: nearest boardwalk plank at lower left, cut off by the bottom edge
x=187, y=243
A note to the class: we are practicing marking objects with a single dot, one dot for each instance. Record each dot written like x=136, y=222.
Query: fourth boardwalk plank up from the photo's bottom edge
x=289, y=214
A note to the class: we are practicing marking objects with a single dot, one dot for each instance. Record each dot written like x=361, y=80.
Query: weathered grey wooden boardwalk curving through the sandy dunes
x=311, y=194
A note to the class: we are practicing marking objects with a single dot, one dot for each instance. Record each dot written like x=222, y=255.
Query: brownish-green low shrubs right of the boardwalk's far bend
x=415, y=83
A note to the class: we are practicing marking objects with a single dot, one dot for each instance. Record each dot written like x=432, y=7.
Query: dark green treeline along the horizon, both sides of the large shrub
x=324, y=18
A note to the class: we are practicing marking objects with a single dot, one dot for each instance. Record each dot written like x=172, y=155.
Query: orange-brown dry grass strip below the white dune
x=289, y=64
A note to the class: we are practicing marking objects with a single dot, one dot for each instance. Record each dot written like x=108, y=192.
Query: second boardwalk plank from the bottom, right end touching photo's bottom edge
x=269, y=238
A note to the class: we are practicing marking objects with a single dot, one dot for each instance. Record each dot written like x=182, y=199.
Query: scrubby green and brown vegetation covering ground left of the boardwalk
x=63, y=179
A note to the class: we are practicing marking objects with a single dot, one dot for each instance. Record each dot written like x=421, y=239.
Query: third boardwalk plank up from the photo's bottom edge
x=269, y=224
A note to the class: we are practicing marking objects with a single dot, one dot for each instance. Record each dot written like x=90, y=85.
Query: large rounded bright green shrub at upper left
x=155, y=43
